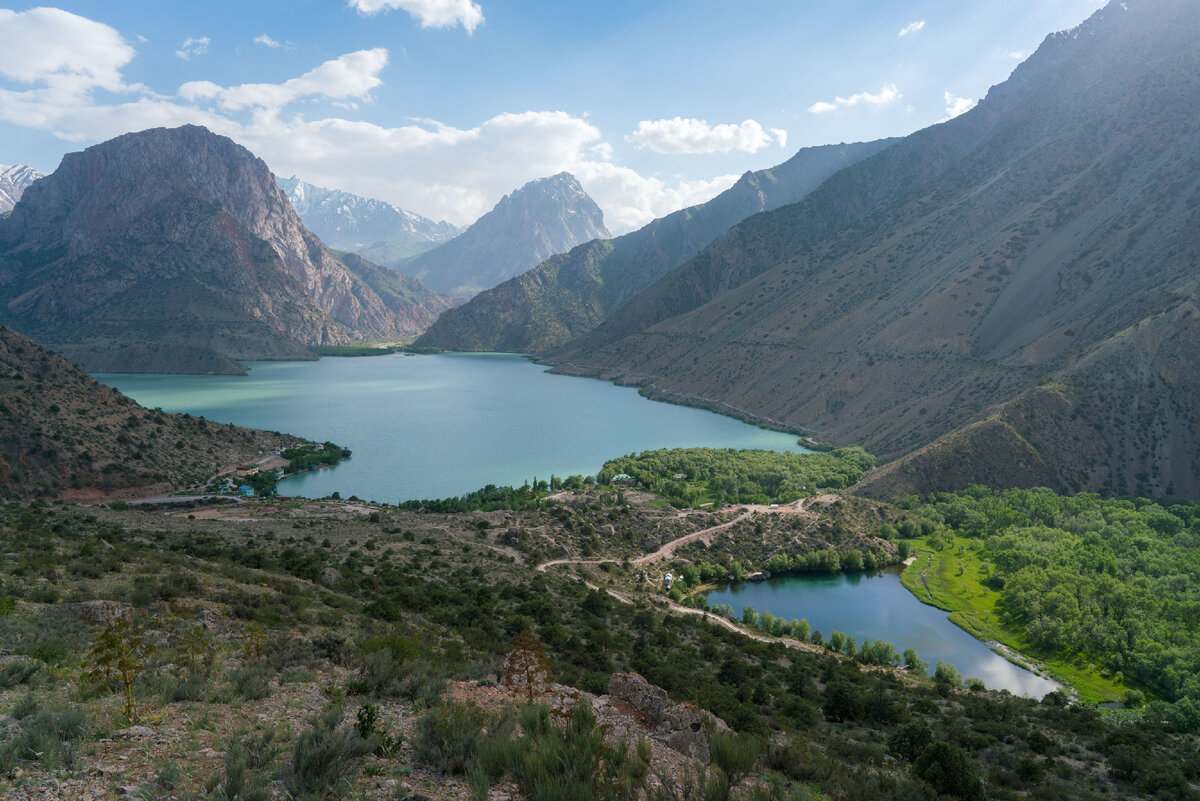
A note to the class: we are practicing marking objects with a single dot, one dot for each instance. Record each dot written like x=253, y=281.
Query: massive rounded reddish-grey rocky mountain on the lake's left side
x=176, y=249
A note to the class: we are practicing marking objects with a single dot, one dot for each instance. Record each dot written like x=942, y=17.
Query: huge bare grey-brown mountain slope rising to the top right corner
x=961, y=268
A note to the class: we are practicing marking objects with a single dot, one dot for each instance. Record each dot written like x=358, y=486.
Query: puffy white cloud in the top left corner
x=65, y=52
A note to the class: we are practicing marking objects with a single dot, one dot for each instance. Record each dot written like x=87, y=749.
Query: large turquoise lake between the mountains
x=446, y=425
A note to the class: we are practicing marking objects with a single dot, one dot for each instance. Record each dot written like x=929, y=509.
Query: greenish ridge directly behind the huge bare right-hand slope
x=571, y=294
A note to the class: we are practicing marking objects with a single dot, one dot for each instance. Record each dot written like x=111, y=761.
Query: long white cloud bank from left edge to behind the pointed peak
x=436, y=170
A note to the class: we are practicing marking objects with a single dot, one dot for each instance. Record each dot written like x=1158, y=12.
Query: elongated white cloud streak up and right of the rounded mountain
x=353, y=75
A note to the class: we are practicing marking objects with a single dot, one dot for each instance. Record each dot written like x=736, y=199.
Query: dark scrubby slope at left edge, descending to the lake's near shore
x=65, y=435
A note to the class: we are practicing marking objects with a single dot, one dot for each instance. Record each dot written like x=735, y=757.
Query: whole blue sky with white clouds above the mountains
x=442, y=107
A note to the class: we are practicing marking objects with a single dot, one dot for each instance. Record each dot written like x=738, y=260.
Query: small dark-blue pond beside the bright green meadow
x=877, y=606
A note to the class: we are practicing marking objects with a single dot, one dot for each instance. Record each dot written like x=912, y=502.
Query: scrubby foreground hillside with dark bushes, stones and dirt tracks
x=399, y=646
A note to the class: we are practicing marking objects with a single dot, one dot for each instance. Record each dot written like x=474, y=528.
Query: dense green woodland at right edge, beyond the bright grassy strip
x=1115, y=580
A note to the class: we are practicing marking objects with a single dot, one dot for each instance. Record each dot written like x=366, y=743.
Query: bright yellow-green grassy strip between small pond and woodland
x=952, y=581
